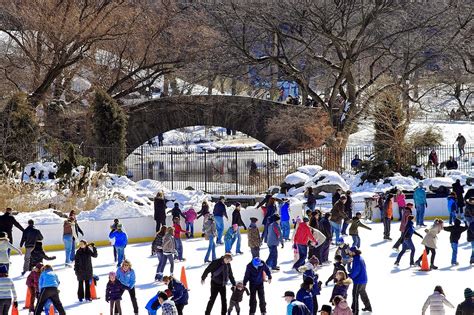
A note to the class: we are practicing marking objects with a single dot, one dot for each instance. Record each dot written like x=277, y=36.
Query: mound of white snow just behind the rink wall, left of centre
x=114, y=208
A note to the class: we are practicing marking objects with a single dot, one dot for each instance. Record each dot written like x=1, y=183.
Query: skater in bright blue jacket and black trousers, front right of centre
x=359, y=278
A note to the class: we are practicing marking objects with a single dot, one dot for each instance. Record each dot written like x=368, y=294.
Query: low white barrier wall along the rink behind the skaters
x=143, y=229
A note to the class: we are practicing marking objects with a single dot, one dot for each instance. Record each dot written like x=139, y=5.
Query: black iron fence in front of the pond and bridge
x=252, y=172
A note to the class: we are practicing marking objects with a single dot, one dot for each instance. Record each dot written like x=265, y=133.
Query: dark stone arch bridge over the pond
x=245, y=114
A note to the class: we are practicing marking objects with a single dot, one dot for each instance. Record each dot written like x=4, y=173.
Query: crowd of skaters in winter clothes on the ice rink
x=310, y=241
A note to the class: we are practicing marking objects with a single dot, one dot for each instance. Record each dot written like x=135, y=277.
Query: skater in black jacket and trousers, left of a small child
x=221, y=272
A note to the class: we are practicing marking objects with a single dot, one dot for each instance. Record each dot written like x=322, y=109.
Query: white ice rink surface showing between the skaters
x=392, y=291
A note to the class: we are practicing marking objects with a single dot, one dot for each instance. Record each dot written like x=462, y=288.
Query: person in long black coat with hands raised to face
x=83, y=269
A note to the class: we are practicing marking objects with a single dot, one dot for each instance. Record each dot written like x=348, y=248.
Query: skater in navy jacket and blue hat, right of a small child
x=254, y=274
